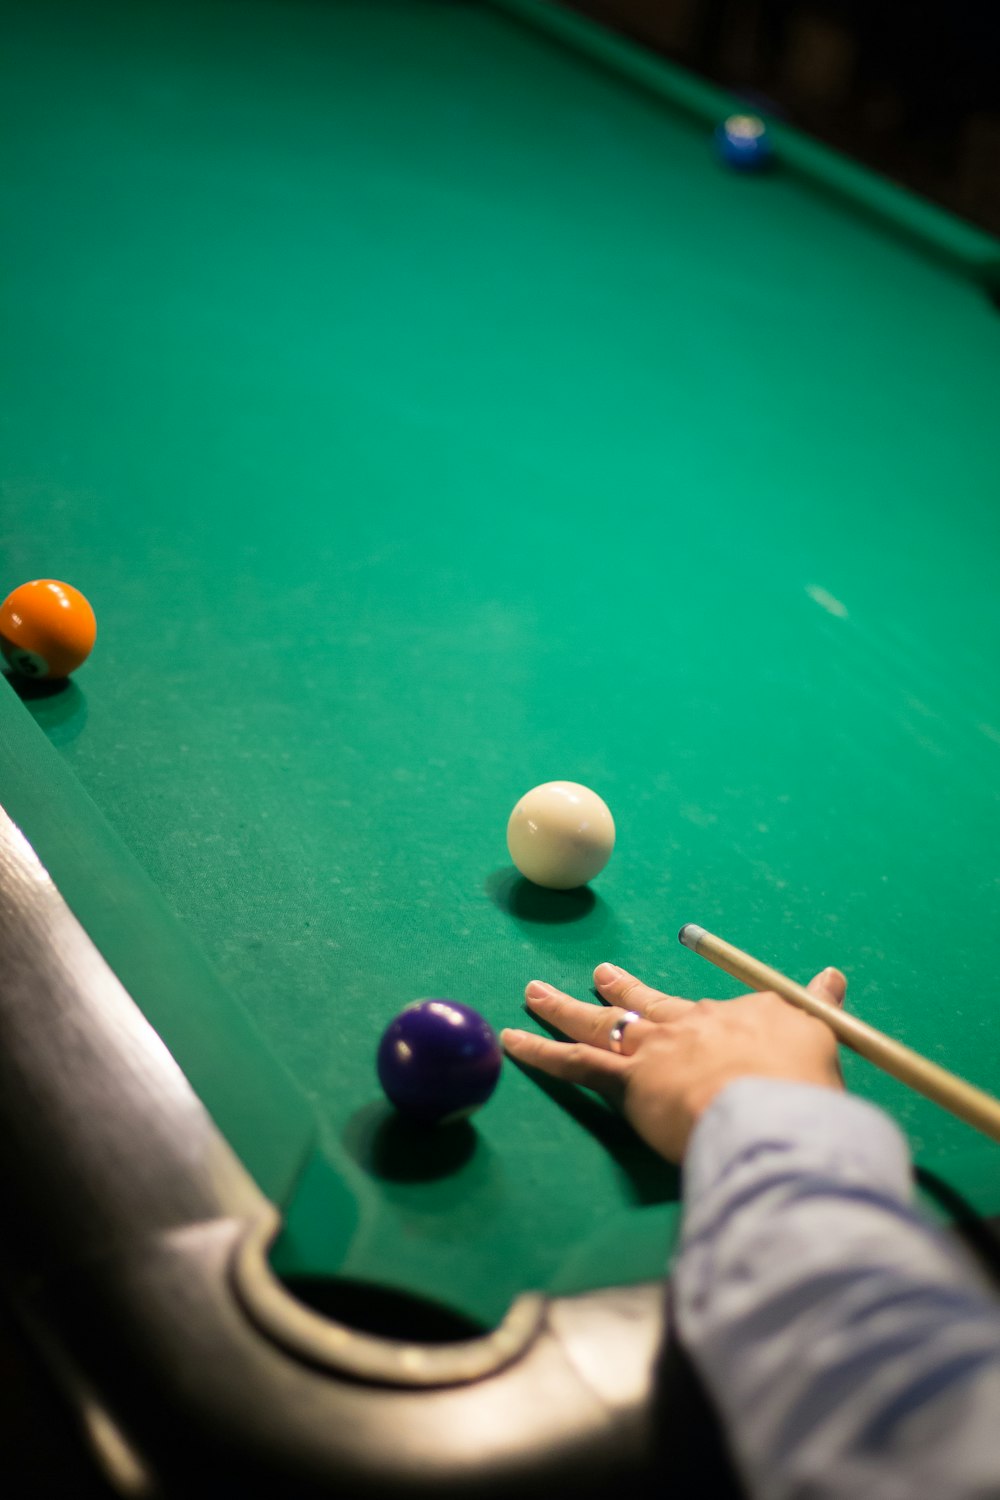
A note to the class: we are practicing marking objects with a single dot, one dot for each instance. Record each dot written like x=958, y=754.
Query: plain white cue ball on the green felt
x=561, y=835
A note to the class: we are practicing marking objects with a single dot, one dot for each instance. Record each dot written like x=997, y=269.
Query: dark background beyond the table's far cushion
x=911, y=89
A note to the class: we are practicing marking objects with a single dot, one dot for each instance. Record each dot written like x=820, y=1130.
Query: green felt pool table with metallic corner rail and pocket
x=428, y=413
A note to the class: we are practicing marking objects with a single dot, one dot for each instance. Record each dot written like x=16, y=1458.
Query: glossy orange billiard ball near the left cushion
x=47, y=629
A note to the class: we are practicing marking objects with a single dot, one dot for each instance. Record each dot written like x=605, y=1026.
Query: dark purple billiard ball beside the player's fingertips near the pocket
x=439, y=1061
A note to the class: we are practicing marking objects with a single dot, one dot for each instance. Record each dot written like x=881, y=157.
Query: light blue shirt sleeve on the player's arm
x=849, y=1351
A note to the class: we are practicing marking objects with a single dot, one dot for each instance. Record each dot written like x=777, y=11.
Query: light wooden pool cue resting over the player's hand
x=965, y=1100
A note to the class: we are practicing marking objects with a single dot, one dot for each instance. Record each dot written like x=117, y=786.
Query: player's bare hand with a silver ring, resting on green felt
x=680, y=1054
